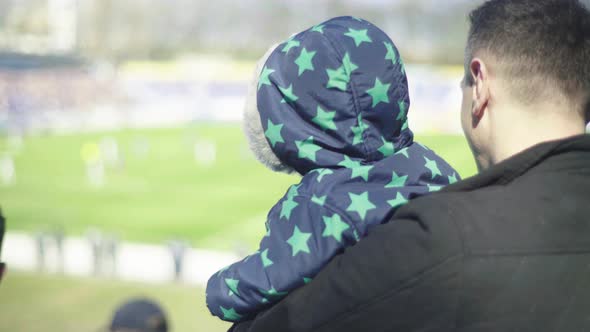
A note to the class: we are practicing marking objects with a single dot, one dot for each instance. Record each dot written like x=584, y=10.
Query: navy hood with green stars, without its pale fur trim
x=337, y=89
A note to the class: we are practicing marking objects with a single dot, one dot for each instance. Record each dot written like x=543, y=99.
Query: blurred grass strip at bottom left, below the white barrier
x=35, y=303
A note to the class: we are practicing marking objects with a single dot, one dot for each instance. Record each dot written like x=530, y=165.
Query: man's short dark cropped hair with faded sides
x=536, y=44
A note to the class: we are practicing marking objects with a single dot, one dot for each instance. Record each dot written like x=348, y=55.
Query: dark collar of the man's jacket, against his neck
x=514, y=167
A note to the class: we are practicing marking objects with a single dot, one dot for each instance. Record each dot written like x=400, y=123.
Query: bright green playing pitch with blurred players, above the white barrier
x=164, y=193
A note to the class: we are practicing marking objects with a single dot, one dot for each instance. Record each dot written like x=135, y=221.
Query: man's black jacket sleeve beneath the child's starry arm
x=402, y=277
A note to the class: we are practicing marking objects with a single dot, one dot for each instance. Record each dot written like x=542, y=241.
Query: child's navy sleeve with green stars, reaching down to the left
x=303, y=234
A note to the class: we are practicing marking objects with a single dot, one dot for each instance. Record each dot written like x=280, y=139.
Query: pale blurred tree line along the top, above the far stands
x=118, y=30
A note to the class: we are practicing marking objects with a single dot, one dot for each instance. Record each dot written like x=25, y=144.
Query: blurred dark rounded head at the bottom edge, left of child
x=139, y=315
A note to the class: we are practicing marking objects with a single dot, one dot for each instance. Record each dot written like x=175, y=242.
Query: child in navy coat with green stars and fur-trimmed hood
x=331, y=104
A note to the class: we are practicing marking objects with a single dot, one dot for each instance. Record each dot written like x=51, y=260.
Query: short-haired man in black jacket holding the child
x=509, y=249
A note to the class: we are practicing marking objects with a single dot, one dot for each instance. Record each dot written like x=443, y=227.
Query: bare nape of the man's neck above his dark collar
x=522, y=130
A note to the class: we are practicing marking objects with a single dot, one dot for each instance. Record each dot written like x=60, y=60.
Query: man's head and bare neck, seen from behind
x=527, y=75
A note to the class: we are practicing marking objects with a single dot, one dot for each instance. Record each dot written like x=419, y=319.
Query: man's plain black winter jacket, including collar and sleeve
x=507, y=250
